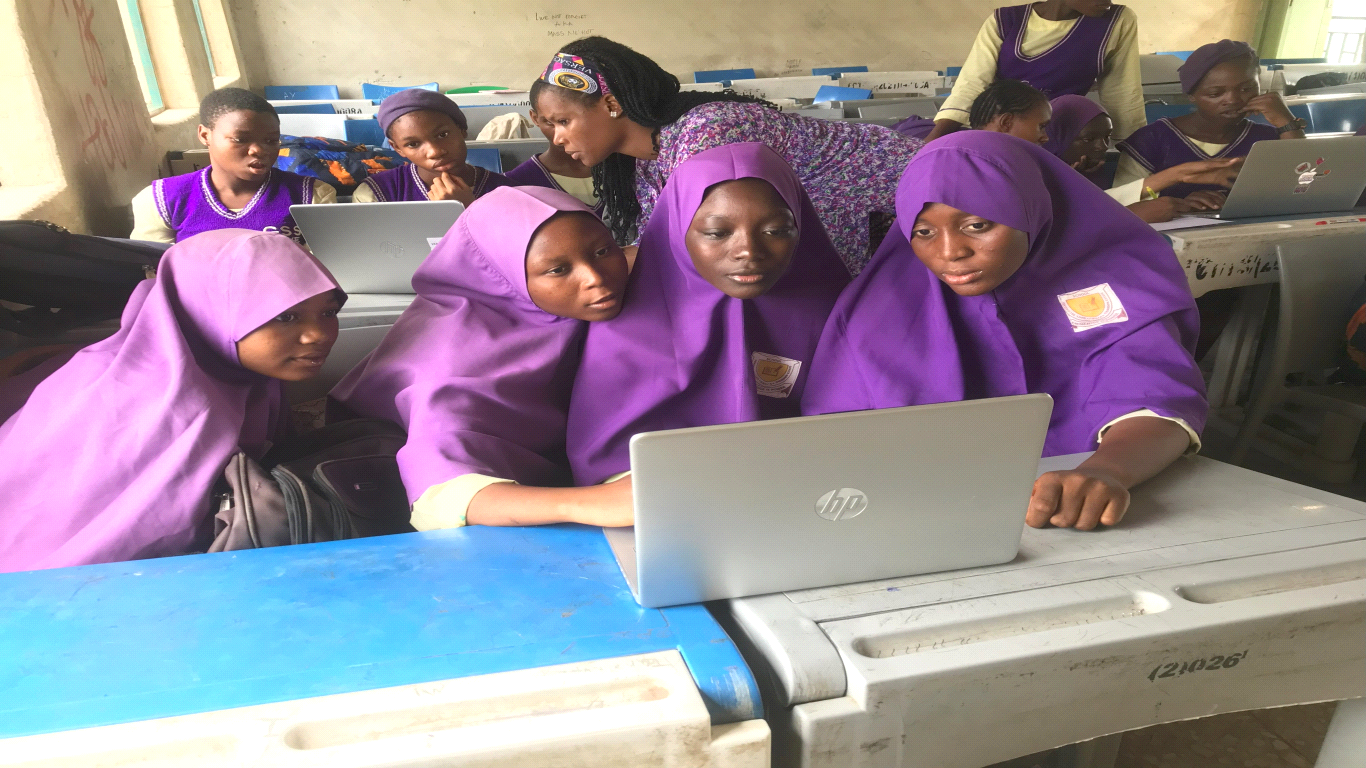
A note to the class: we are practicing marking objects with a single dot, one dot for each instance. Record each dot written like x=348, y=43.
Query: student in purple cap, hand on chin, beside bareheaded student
x=430, y=132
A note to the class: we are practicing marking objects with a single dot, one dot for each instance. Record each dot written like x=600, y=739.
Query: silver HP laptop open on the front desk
x=797, y=504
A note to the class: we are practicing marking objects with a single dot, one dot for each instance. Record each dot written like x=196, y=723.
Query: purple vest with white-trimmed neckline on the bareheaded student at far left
x=191, y=206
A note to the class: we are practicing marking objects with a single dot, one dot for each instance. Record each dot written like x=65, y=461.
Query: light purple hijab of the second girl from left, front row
x=473, y=370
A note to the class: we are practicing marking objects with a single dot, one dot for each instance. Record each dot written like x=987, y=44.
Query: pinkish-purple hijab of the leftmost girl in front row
x=115, y=454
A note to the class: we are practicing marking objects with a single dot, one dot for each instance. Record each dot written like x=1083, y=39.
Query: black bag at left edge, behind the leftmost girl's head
x=68, y=281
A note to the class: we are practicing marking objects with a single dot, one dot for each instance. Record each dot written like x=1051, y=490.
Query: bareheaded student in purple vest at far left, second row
x=241, y=189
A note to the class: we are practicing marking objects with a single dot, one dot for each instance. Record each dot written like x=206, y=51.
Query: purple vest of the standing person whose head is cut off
x=1073, y=66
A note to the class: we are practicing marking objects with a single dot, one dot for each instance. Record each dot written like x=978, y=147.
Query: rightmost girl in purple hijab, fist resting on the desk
x=1012, y=275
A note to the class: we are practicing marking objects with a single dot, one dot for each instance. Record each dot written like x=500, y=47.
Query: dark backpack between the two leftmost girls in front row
x=341, y=482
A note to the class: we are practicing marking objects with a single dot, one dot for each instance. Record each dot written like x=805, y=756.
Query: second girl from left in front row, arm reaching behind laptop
x=479, y=368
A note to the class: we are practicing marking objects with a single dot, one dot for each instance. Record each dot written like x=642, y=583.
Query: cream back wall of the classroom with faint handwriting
x=507, y=43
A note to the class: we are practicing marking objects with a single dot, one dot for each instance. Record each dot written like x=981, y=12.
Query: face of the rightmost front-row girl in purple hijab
x=971, y=255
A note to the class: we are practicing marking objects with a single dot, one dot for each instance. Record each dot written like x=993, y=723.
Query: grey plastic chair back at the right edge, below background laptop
x=1319, y=278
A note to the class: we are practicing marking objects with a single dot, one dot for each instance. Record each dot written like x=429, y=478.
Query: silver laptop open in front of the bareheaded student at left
x=375, y=248
